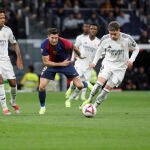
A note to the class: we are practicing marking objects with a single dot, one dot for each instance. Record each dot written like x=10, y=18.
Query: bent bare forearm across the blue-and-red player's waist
x=49, y=63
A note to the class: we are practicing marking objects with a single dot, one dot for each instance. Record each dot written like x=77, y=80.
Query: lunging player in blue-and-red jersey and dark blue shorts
x=56, y=55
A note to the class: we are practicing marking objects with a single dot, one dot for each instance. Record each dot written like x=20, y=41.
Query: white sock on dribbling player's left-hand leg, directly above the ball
x=95, y=90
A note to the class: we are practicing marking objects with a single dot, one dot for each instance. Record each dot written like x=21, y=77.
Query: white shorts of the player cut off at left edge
x=6, y=69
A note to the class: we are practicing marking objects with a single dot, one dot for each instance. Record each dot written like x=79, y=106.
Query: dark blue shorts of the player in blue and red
x=49, y=72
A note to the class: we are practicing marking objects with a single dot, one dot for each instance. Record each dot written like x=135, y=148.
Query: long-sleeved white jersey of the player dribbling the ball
x=117, y=52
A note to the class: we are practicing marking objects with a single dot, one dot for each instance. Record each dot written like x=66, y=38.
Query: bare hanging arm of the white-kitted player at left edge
x=19, y=59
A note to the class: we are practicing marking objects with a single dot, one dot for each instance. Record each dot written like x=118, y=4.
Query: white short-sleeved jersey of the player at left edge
x=6, y=35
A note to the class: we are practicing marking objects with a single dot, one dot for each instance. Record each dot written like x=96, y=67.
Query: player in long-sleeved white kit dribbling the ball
x=116, y=46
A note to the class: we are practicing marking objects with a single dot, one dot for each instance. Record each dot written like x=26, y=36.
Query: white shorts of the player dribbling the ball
x=114, y=77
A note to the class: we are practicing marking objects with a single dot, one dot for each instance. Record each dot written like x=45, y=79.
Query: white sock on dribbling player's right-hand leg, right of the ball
x=101, y=97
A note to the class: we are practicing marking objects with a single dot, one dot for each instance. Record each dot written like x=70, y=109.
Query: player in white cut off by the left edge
x=6, y=68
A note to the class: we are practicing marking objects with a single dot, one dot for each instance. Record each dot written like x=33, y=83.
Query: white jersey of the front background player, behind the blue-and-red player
x=88, y=49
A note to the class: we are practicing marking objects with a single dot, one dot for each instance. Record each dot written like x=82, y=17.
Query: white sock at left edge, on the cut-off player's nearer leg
x=3, y=97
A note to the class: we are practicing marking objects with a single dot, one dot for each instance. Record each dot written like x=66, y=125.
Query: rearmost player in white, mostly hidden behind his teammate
x=78, y=44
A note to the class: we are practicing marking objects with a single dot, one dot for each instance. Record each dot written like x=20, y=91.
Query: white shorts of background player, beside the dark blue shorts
x=85, y=74
